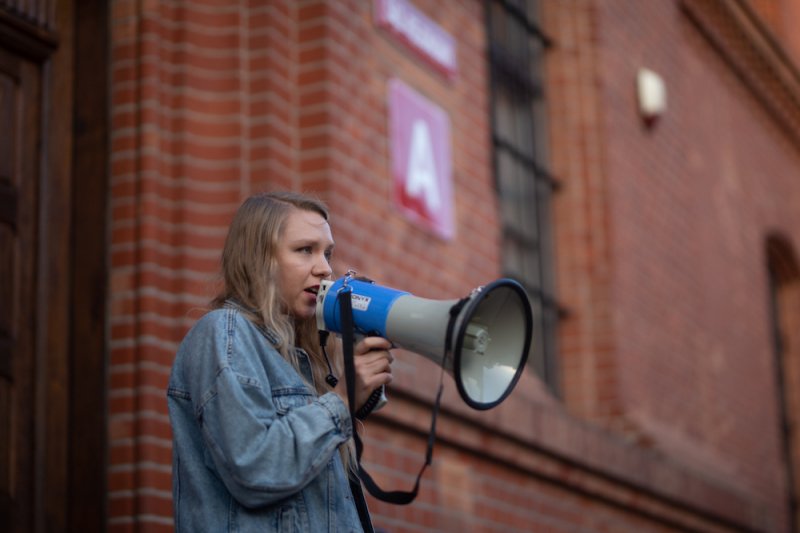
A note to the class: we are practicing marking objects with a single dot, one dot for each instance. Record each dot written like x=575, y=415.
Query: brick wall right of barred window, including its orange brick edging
x=669, y=342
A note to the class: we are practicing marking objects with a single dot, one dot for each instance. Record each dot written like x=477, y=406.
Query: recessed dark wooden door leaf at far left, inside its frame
x=20, y=92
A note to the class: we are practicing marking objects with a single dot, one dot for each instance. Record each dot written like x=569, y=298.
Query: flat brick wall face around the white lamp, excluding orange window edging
x=699, y=195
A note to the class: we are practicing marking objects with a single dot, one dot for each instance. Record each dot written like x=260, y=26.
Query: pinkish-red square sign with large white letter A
x=419, y=140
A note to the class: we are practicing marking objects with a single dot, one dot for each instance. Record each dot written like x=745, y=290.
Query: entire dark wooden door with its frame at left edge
x=53, y=116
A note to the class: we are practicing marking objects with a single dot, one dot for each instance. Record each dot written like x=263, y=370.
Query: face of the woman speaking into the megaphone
x=304, y=251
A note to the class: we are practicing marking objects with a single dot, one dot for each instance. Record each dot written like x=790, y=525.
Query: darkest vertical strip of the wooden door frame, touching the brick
x=88, y=356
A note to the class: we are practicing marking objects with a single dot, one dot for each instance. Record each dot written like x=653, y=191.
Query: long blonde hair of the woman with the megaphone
x=250, y=274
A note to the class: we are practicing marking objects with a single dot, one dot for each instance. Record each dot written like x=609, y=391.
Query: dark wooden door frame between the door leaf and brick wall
x=67, y=480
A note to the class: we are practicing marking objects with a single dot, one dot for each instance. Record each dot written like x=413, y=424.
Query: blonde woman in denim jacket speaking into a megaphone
x=261, y=439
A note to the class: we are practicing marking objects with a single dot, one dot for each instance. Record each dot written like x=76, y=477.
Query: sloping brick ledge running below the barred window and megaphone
x=544, y=441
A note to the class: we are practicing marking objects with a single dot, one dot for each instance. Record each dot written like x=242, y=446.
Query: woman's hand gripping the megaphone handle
x=373, y=362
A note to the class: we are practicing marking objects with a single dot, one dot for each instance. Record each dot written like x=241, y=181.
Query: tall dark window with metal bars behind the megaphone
x=524, y=186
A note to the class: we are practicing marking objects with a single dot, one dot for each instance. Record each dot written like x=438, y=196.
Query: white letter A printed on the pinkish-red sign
x=421, y=178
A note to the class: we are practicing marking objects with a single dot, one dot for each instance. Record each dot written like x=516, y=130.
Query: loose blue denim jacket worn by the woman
x=253, y=448
